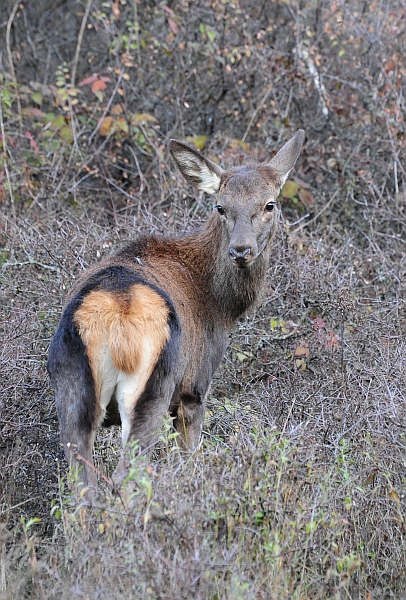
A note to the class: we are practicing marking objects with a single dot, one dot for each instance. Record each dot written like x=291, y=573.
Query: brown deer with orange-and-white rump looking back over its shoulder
x=144, y=330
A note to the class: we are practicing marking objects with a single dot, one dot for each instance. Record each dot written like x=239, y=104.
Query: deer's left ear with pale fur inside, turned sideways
x=196, y=168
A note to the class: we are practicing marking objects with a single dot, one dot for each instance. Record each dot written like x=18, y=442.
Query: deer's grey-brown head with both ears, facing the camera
x=246, y=196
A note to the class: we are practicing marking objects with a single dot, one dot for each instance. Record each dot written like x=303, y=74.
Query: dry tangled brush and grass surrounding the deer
x=298, y=490
